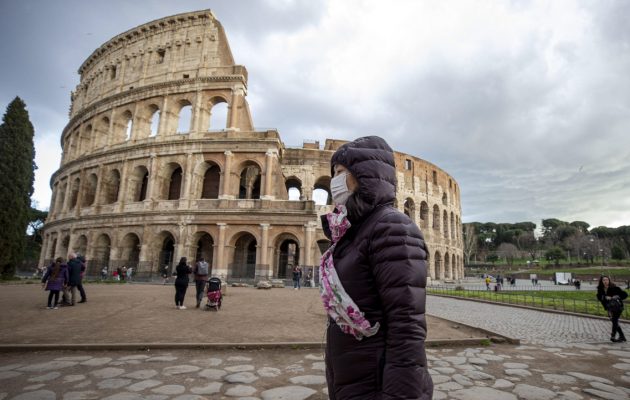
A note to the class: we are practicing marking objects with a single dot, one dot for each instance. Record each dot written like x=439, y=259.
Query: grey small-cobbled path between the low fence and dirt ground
x=530, y=326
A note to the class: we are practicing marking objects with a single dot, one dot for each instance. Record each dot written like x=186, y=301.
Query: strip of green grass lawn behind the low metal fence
x=574, y=301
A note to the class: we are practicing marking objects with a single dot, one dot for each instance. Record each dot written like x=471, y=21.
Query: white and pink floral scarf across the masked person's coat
x=338, y=304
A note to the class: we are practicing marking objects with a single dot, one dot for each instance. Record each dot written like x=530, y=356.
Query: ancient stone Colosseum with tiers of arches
x=161, y=160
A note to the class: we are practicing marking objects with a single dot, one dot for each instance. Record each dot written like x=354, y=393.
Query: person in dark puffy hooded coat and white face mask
x=373, y=282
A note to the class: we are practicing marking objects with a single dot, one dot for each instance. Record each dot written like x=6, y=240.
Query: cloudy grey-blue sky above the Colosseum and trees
x=525, y=103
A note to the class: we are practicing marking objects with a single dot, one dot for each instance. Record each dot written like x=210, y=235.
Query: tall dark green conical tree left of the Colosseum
x=17, y=172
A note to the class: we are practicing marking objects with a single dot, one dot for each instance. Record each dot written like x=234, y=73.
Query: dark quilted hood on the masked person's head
x=371, y=161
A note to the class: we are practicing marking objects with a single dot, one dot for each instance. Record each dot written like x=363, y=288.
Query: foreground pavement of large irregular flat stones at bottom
x=579, y=371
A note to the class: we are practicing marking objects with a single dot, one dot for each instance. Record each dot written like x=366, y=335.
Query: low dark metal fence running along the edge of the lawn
x=590, y=307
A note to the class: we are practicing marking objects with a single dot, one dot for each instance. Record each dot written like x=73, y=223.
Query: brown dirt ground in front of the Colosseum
x=141, y=313
